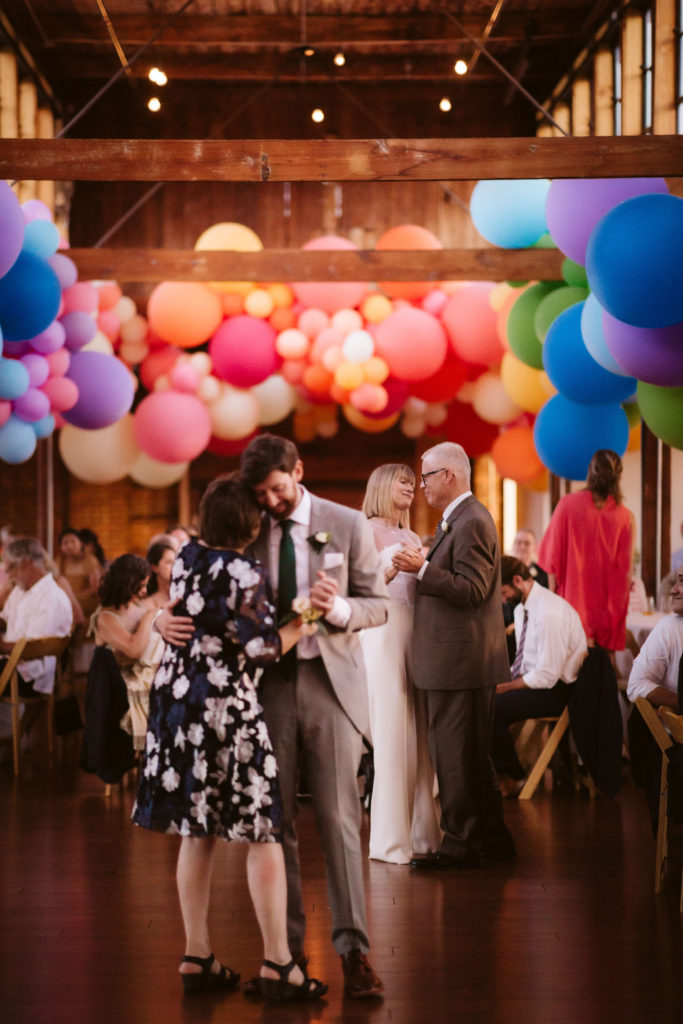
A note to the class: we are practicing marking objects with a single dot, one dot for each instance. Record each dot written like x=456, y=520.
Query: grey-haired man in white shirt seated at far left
x=36, y=608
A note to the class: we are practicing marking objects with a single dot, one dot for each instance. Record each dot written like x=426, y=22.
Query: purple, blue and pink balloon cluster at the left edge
x=48, y=322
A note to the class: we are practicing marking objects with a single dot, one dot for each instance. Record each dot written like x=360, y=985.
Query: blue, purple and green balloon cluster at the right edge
x=613, y=333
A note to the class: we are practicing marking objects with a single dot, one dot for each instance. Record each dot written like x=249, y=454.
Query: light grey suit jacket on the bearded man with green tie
x=361, y=583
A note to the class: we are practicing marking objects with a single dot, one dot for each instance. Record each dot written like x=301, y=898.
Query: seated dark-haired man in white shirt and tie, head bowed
x=551, y=649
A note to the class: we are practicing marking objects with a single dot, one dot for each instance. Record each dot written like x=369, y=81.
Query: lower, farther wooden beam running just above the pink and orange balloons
x=296, y=265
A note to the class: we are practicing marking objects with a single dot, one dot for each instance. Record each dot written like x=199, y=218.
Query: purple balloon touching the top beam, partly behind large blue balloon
x=575, y=206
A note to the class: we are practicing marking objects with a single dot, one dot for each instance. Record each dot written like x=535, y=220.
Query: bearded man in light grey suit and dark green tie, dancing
x=316, y=702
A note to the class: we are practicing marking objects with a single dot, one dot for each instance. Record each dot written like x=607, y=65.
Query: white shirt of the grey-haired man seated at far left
x=45, y=611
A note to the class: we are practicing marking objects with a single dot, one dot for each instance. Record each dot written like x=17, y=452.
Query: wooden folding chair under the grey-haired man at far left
x=25, y=651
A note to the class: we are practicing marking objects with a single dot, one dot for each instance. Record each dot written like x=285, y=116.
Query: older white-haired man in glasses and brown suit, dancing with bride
x=459, y=656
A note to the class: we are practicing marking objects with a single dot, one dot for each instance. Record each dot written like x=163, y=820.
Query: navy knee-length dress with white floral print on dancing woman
x=208, y=766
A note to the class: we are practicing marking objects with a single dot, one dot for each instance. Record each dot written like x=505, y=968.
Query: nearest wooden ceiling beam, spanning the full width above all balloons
x=338, y=160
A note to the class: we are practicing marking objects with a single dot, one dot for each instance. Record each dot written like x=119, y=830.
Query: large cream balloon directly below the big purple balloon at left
x=100, y=456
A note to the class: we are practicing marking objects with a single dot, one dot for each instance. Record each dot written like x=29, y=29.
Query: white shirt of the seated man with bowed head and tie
x=556, y=643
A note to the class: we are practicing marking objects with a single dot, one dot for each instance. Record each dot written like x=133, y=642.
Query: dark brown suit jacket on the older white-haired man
x=459, y=635
